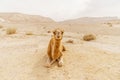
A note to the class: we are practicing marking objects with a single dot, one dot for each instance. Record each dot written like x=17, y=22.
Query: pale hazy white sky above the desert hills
x=63, y=9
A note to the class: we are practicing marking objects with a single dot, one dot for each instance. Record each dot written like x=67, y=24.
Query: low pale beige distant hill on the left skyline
x=23, y=18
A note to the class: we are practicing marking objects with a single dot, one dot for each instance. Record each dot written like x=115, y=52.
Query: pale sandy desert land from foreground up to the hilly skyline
x=23, y=54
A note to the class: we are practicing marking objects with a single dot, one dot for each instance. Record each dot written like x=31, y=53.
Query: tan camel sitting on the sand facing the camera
x=55, y=48
